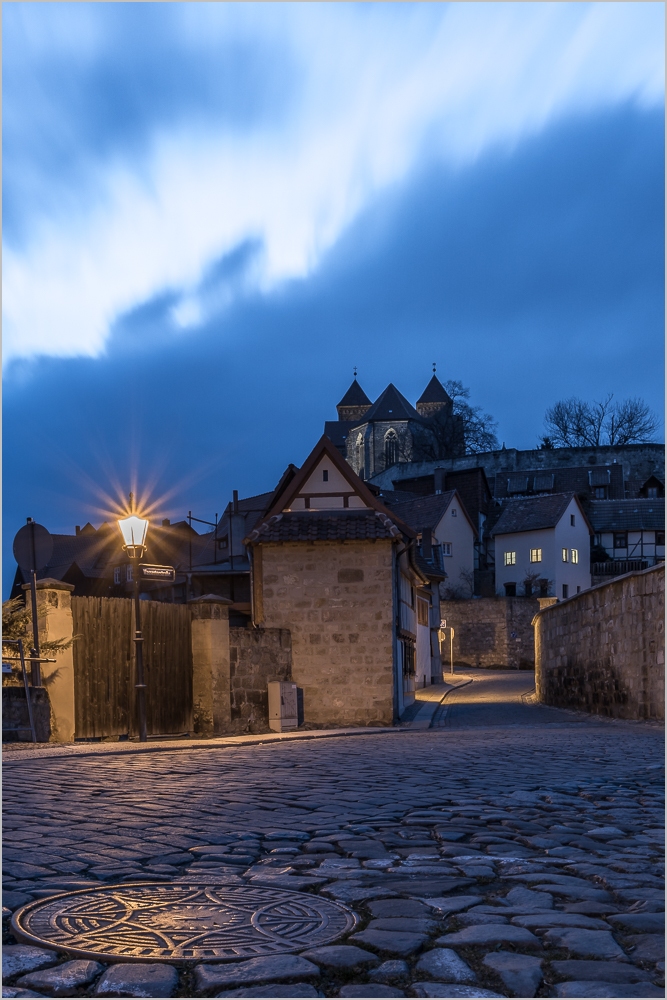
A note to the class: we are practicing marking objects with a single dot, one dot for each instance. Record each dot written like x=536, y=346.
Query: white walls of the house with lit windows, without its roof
x=552, y=567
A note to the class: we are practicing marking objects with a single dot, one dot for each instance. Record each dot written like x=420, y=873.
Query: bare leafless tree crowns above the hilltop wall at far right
x=576, y=423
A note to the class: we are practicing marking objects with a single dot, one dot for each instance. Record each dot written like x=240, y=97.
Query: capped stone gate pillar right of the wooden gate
x=211, y=697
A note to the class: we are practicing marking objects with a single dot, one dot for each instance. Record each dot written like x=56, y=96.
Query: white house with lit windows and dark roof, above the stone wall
x=543, y=546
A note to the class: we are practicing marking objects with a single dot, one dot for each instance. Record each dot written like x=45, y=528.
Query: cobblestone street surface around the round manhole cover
x=509, y=850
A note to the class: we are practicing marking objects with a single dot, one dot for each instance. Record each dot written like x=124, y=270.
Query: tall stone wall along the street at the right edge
x=603, y=650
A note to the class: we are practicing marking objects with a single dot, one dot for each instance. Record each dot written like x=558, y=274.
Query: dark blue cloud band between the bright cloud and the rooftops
x=532, y=275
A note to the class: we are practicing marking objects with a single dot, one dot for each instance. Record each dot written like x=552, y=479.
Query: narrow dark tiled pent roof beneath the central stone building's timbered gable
x=330, y=527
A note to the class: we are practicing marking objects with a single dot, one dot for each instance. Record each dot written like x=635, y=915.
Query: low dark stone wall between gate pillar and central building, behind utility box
x=256, y=656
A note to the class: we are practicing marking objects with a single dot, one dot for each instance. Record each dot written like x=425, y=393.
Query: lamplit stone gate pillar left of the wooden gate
x=54, y=616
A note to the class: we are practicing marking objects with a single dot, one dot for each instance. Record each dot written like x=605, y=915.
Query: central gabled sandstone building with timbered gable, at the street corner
x=330, y=562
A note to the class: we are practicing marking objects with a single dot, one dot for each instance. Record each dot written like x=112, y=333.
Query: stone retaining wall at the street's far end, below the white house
x=491, y=632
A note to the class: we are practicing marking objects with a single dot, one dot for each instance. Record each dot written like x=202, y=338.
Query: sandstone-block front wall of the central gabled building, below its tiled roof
x=336, y=599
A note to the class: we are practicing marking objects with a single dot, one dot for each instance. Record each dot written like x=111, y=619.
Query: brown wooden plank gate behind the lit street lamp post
x=104, y=690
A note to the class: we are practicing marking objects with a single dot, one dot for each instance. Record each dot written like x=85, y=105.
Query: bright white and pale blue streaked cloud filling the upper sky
x=145, y=141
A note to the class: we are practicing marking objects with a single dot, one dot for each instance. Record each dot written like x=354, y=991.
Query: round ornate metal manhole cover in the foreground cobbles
x=176, y=922
